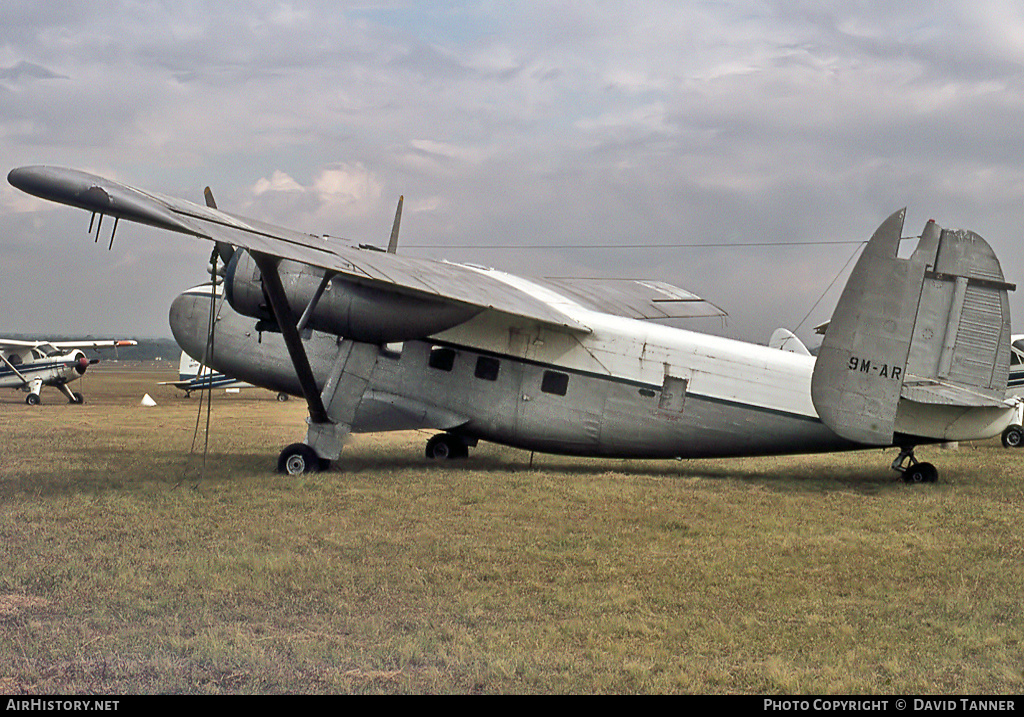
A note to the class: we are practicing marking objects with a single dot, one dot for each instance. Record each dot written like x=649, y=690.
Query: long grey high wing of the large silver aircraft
x=451, y=282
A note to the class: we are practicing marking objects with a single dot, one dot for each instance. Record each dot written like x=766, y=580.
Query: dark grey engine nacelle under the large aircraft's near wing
x=358, y=312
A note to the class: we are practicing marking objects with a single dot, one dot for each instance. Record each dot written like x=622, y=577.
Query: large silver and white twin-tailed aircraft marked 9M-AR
x=918, y=351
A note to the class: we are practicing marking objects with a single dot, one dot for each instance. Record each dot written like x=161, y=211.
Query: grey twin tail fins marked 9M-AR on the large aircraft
x=930, y=330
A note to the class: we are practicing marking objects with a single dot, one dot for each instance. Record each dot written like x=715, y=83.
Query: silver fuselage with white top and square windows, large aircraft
x=627, y=389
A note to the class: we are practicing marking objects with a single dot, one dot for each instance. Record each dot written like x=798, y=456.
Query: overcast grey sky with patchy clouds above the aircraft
x=530, y=125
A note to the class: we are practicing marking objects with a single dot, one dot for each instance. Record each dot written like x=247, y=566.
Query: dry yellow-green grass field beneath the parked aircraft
x=125, y=570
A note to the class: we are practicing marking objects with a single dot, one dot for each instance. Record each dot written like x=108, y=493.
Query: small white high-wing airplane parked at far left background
x=29, y=366
